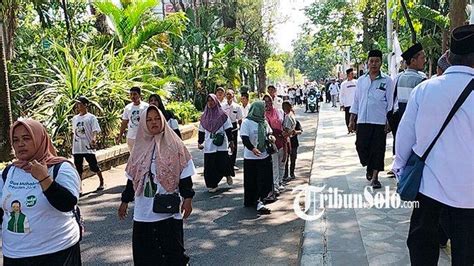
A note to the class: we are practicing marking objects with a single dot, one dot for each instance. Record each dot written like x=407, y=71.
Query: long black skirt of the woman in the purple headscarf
x=216, y=166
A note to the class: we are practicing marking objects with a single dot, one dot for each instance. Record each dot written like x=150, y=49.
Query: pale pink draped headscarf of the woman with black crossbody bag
x=171, y=155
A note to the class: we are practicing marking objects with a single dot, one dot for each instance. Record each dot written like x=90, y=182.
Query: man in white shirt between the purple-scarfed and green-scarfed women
x=234, y=112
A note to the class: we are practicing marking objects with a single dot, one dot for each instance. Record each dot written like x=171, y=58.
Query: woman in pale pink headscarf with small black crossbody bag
x=159, y=173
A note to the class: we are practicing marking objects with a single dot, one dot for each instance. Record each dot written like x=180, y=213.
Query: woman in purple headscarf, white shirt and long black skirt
x=215, y=131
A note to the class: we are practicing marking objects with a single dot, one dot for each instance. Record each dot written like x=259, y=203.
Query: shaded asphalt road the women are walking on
x=220, y=230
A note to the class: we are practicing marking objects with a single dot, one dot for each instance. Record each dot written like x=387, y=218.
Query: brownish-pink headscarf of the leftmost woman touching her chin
x=45, y=151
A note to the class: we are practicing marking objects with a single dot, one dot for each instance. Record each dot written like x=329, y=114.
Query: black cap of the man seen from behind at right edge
x=462, y=40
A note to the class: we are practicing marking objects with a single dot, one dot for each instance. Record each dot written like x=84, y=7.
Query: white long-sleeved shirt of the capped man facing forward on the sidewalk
x=372, y=99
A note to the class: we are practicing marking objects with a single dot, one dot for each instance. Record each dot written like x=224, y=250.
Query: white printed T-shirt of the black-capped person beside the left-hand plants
x=83, y=126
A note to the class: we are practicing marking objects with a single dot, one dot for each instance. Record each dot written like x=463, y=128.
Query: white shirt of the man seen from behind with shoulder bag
x=449, y=168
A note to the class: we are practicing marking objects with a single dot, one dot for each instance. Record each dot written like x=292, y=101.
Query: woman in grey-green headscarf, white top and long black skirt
x=258, y=177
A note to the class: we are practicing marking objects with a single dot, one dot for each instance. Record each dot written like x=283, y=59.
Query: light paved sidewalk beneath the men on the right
x=352, y=236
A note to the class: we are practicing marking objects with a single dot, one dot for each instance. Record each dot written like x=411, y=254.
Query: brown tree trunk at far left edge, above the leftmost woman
x=5, y=105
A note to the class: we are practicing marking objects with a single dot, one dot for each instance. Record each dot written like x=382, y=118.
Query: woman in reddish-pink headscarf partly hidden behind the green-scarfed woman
x=275, y=119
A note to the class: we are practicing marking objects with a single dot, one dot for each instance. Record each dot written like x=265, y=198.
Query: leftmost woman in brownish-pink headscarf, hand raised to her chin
x=39, y=227
